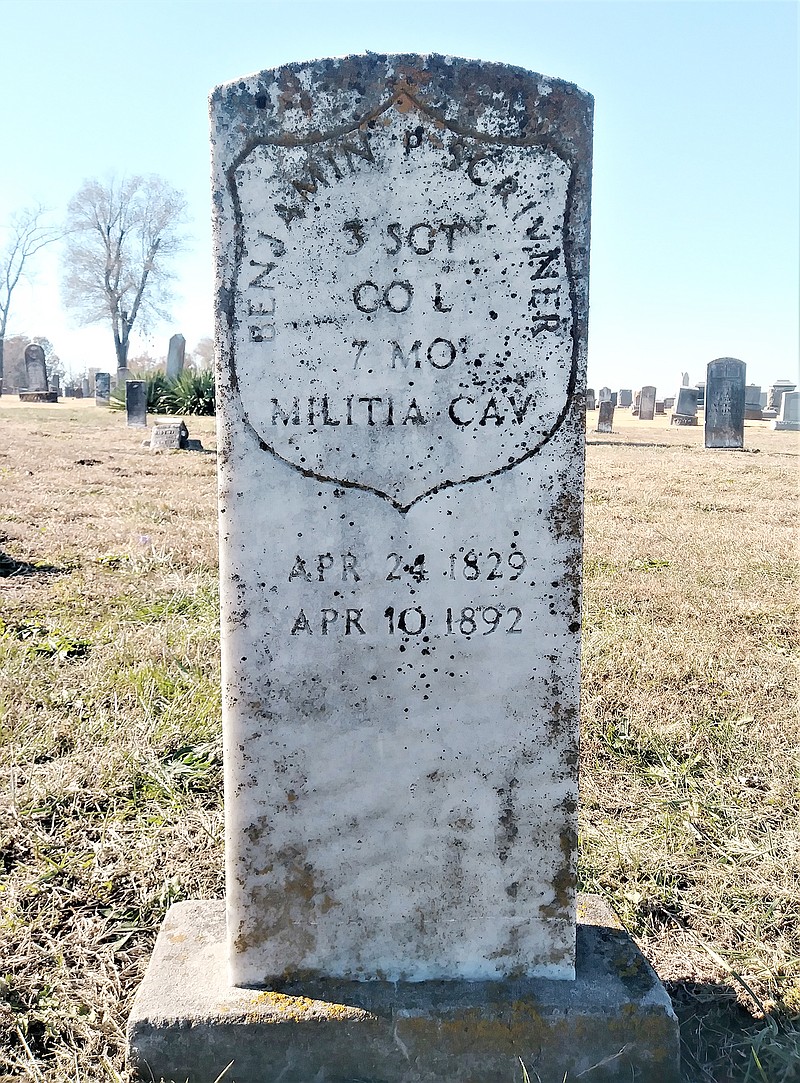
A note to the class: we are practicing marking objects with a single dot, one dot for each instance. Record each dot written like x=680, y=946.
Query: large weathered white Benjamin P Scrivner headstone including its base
x=401, y=412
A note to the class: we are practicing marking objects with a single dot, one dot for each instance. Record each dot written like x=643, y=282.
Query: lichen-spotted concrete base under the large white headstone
x=613, y=1025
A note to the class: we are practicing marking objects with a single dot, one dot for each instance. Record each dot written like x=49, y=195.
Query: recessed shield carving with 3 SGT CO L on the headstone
x=403, y=301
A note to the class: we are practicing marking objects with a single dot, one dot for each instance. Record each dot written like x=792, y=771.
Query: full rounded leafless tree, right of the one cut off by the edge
x=121, y=239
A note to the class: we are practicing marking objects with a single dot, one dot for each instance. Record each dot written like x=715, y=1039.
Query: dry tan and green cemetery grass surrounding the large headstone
x=111, y=749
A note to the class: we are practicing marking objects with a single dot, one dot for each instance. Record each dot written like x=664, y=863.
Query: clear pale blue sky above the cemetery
x=696, y=197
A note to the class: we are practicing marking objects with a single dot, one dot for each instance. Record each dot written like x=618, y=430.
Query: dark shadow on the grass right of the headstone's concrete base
x=722, y=1042
